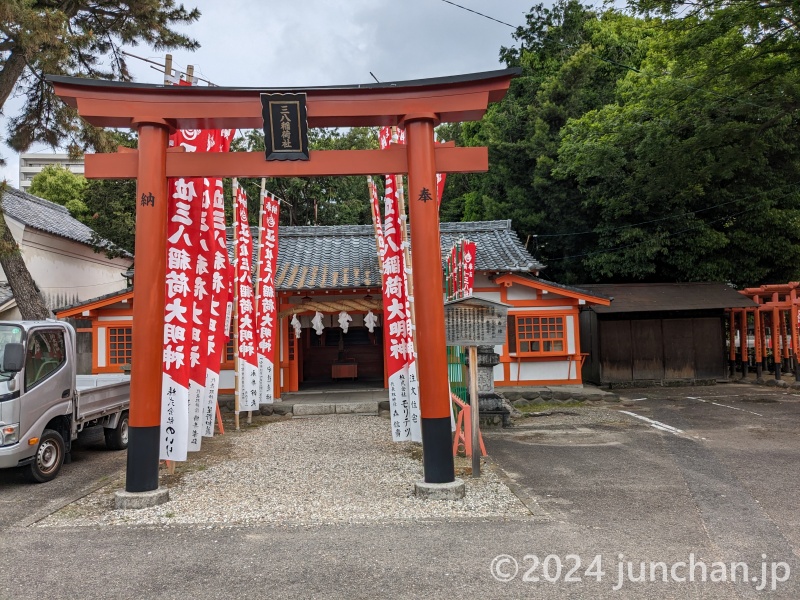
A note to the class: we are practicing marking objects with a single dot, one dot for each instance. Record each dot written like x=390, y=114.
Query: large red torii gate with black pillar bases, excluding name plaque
x=154, y=110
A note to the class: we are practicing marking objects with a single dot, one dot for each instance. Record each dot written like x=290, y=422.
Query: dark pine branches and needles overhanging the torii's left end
x=78, y=38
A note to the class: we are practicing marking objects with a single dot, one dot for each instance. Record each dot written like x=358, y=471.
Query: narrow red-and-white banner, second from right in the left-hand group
x=245, y=306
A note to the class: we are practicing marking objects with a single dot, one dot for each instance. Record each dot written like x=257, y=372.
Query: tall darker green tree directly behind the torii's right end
x=571, y=58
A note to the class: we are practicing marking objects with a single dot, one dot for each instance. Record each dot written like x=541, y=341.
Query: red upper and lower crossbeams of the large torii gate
x=445, y=99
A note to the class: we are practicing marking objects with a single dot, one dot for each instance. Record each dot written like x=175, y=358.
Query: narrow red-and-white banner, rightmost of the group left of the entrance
x=266, y=301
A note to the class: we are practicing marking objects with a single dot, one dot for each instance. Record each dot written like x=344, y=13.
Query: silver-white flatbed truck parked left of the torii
x=44, y=405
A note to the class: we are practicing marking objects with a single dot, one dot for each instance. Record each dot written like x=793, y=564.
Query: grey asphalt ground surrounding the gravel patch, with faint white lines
x=677, y=487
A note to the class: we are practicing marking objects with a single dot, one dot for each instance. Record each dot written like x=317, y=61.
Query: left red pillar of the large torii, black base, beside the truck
x=148, y=307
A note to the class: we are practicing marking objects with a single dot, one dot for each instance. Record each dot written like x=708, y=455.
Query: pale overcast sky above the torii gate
x=271, y=43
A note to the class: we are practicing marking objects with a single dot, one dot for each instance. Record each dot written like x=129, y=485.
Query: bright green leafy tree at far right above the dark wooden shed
x=693, y=170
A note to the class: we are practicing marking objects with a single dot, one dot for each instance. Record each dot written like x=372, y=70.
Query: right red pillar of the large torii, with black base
x=437, y=453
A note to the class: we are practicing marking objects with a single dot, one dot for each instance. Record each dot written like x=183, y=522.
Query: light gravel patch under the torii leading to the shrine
x=321, y=470
